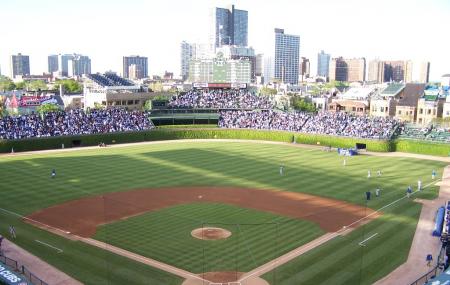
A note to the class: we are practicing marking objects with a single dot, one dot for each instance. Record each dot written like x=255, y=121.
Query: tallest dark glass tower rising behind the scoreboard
x=229, y=27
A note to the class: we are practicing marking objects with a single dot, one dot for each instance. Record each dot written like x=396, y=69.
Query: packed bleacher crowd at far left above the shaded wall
x=74, y=122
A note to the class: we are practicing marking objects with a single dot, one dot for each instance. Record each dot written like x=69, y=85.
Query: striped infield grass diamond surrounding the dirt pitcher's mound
x=165, y=235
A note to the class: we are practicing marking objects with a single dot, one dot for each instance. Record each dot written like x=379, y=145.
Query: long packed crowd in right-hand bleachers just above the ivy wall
x=338, y=124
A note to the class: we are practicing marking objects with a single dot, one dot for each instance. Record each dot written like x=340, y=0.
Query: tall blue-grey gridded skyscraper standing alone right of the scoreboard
x=287, y=50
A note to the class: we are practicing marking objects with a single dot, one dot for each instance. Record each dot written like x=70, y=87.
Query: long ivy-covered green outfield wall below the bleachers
x=421, y=147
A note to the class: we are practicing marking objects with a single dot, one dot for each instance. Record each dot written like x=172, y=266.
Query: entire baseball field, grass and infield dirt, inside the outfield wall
x=216, y=210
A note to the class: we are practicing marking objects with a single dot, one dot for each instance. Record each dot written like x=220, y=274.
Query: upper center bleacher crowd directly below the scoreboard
x=220, y=99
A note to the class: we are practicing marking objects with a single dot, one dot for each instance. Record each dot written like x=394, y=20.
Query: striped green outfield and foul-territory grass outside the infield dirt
x=26, y=187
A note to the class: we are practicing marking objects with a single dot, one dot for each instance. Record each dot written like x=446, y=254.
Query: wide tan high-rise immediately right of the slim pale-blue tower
x=348, y=70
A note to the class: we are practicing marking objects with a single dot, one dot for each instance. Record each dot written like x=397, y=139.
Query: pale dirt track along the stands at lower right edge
x=423, y=243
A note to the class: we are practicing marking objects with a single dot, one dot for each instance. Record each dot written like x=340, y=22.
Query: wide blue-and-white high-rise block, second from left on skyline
x=69, y=64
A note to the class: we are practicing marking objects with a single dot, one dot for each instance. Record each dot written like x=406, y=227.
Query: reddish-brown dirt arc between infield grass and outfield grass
x=81, y=217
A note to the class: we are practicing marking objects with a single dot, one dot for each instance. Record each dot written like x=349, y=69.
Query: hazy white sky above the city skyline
x=106, y=30
